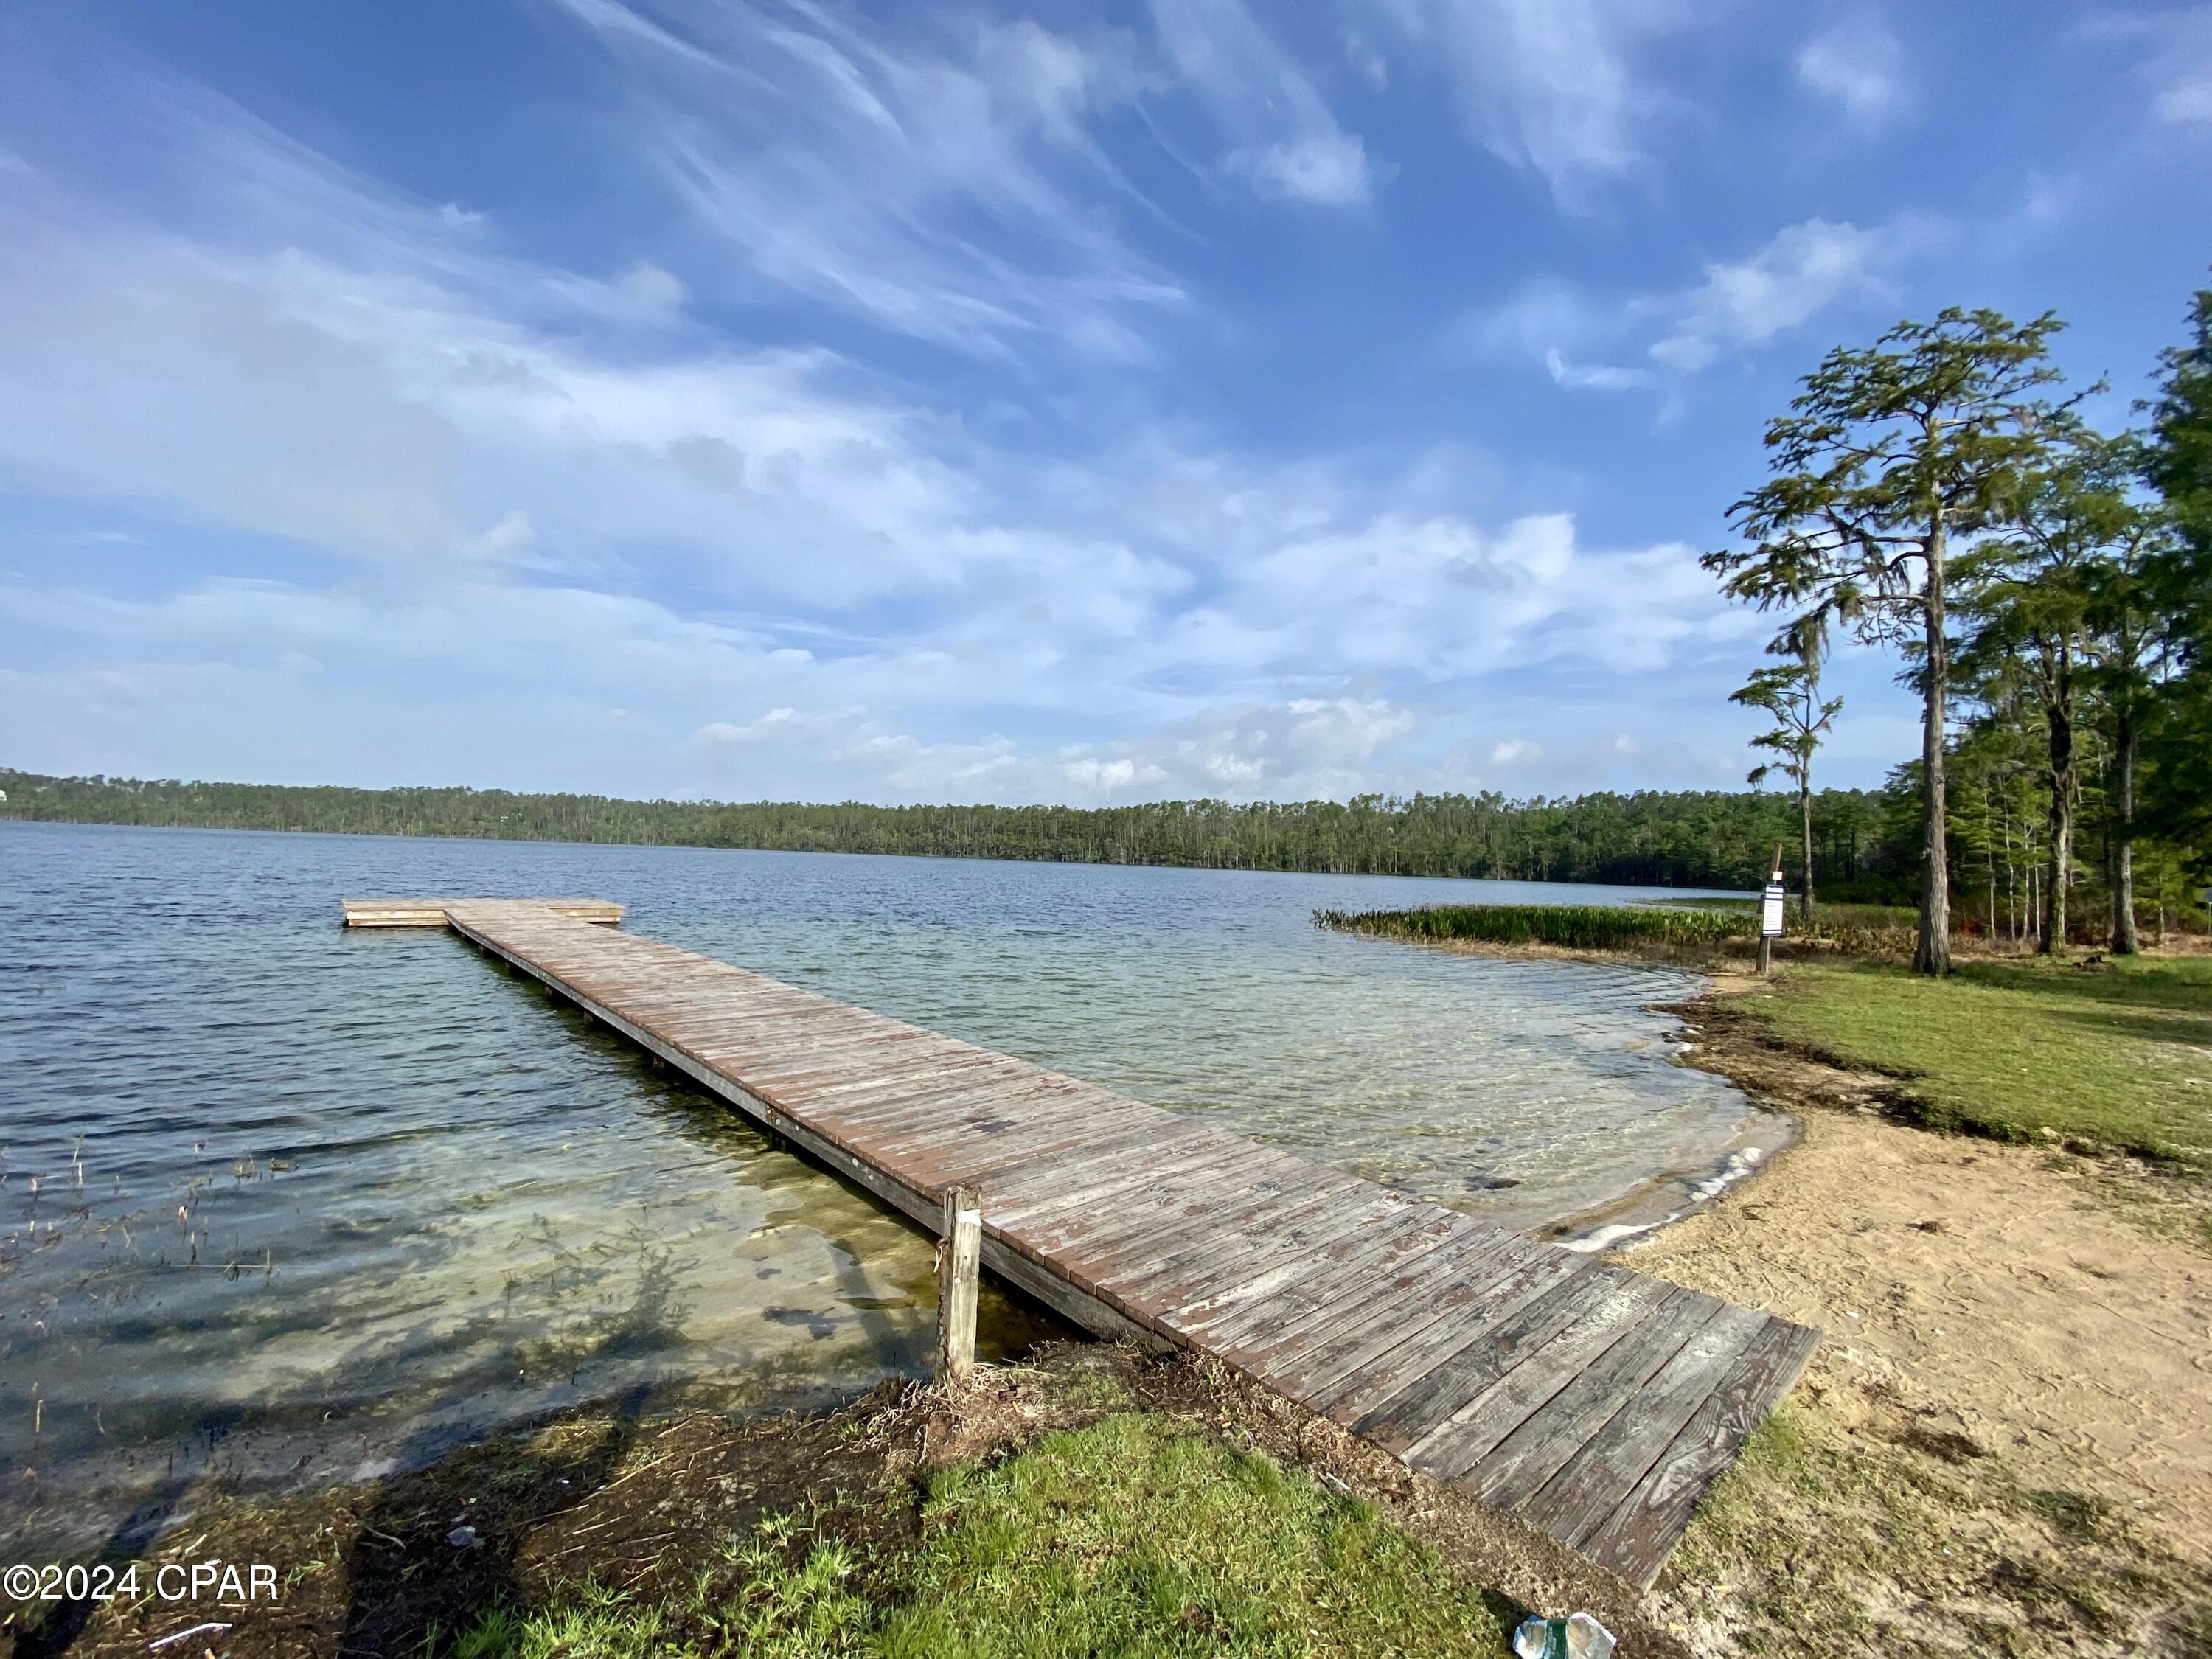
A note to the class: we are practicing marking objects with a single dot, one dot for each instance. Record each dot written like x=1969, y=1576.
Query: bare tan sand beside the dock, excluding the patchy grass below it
x=1999, y=1293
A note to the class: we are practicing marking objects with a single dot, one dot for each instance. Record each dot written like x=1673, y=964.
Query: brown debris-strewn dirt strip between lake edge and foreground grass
x=647, y=1507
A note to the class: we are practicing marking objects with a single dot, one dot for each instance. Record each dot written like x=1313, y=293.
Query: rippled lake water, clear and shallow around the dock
x=313, y=1204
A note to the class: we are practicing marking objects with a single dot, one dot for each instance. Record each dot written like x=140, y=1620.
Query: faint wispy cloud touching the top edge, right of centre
x=1556, y=87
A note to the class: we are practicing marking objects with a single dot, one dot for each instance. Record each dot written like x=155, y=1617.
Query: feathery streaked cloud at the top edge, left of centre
x=853, y=167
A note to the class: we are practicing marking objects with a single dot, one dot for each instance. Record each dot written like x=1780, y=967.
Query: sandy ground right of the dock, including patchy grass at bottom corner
x=2005, y=1443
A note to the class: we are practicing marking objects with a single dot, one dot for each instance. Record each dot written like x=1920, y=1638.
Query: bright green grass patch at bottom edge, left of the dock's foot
x=1125, y=1538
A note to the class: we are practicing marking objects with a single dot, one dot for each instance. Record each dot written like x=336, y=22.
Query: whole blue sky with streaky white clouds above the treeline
x=957, y=404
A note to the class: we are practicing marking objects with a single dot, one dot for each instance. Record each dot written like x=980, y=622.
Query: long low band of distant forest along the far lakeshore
x=1665, y=839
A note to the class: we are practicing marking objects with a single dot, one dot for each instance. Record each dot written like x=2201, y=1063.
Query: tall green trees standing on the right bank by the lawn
x=2049, y=594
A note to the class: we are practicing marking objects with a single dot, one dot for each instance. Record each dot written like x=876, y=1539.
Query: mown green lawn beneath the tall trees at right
x=2116, y=1056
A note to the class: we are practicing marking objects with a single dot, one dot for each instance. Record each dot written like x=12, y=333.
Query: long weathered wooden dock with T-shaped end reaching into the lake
x=1580, y=1397
